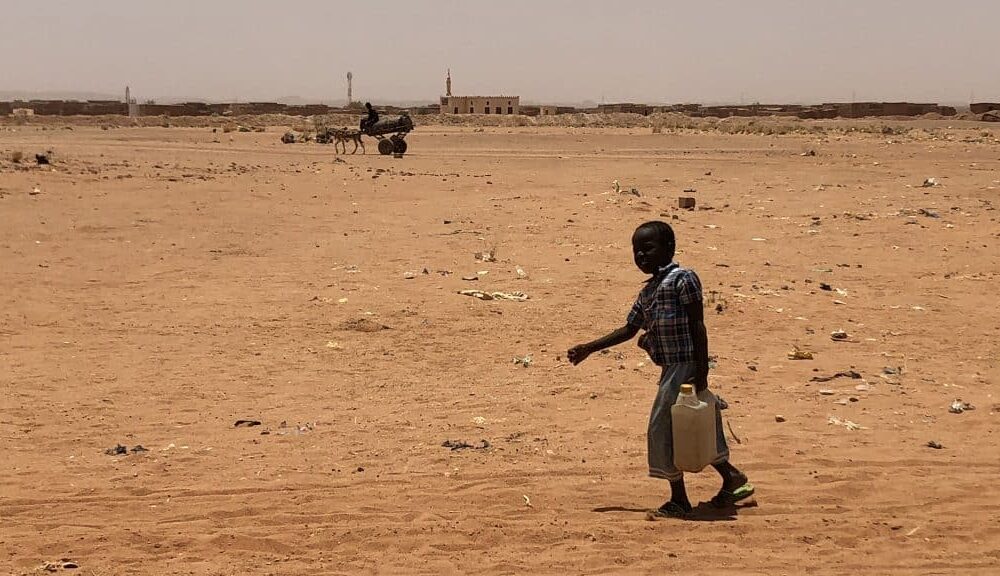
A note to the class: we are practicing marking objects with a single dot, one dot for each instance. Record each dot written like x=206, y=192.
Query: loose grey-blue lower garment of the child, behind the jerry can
x=660, y=437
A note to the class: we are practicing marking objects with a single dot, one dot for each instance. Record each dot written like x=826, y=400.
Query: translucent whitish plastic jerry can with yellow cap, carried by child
x=694, y=430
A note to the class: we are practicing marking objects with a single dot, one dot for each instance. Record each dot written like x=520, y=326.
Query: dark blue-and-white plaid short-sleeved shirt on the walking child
x=660, y=311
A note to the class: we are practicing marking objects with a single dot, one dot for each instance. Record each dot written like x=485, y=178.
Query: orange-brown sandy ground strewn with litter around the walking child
x=159, y=284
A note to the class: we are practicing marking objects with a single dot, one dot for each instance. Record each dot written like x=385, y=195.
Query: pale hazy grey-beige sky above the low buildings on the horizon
x=542, y=50
